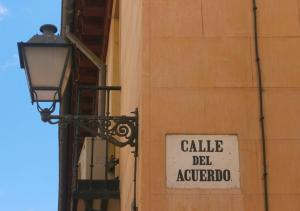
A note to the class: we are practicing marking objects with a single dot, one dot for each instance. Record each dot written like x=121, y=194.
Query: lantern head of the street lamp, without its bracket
x=45, y=59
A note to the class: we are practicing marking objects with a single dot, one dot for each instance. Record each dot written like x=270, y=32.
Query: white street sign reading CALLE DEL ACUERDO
x=202, y=161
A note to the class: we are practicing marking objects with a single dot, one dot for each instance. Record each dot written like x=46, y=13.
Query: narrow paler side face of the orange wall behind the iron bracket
x=130, y=74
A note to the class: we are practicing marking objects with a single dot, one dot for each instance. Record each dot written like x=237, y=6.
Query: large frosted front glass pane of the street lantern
x=45, y=65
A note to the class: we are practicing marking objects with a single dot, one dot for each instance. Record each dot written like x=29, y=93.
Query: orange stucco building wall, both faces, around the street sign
x=189, y=66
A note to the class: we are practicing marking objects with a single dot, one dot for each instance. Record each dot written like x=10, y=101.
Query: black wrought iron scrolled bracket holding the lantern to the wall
x=117, y=130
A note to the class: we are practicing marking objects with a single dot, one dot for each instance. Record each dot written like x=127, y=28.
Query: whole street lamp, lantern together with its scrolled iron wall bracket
x=46, y=60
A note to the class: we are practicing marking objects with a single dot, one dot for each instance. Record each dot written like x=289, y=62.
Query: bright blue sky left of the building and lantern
x=28, y=147
